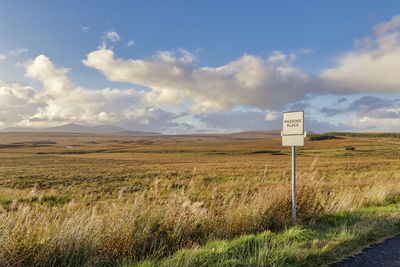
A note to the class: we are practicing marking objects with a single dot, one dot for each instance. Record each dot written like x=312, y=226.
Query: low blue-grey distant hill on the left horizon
x=76, y=128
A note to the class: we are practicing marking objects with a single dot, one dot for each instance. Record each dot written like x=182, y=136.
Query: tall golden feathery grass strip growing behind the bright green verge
x=148, y=226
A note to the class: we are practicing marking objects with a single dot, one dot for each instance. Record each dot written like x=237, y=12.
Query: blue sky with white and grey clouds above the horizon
x=200, y=66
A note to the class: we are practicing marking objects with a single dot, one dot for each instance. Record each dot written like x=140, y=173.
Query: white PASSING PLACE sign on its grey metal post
x=293, y=135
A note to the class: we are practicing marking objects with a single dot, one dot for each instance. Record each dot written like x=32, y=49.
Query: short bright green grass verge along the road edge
x=317, y=243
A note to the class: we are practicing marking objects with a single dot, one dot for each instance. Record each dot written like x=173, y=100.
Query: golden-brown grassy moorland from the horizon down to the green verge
x=73, y=199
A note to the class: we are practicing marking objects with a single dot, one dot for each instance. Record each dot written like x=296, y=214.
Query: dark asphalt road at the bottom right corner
x=386, y=253
